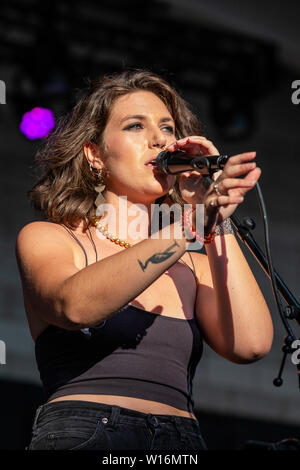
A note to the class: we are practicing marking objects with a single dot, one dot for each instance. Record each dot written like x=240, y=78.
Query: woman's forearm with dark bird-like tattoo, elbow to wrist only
x=94, y=293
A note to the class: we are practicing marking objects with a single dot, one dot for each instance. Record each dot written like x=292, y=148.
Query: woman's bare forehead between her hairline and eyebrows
x=139, y=102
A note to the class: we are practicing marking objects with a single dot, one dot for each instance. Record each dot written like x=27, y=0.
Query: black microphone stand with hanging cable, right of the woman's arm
x=292, y=309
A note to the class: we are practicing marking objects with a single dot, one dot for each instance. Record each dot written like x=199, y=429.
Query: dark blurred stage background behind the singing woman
x=235, y=62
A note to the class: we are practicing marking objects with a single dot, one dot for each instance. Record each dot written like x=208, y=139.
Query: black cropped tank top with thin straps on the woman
x=134, y=353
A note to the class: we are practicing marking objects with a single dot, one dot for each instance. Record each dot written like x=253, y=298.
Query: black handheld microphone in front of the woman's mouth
x=176, y=162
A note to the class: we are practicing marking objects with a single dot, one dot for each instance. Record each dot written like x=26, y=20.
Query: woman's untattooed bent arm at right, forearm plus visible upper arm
x=230, y=307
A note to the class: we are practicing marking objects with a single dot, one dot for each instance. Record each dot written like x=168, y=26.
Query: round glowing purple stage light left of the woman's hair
x=37, y=123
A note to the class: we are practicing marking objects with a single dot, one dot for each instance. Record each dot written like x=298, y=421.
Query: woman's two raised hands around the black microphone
x=222, y=196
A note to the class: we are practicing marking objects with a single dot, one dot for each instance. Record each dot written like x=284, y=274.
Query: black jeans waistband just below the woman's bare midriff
x=68, y=407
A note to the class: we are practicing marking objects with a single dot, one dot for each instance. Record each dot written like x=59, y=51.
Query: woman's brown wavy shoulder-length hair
x=65, y=191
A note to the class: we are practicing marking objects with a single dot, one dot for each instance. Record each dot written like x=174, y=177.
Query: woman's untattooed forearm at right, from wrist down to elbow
x=245, y=321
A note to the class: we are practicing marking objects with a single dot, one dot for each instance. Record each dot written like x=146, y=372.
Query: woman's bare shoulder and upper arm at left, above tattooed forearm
x=45, y=259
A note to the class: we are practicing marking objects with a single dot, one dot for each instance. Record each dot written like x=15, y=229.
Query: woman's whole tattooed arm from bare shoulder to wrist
x=73, y=299
